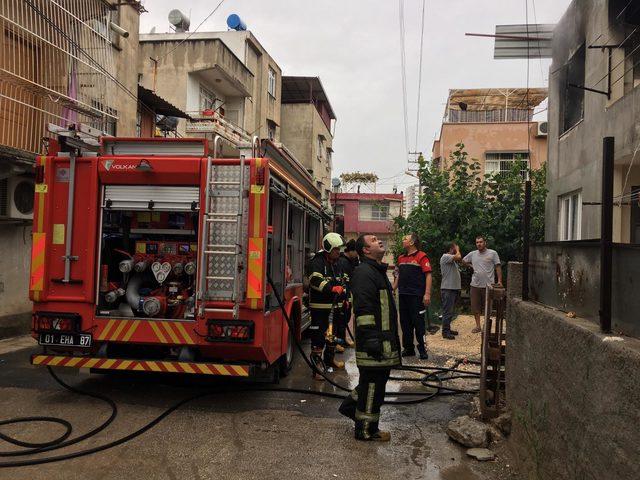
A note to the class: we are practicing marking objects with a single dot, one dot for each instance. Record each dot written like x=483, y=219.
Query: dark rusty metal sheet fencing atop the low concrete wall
x=566, y=276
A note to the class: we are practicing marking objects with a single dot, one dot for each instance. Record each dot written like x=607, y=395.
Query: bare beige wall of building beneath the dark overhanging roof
x=301, y=126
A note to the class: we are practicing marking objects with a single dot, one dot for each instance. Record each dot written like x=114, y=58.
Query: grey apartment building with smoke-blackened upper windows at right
x=594, y=94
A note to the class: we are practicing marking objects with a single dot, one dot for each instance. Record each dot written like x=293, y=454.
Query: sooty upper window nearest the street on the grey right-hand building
x=572, y=98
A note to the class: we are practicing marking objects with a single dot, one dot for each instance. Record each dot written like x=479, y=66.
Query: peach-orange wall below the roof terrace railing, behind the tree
x=480, y=138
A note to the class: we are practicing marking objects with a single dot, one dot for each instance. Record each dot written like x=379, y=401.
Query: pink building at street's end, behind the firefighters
x=358, y=213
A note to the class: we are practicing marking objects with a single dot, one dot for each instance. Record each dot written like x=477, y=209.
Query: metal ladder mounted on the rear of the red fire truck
x=224, y=236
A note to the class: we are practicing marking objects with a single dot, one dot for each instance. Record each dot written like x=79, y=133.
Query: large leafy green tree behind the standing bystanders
x=458, y=203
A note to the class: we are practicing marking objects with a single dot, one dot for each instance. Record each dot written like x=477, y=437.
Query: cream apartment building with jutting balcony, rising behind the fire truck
x=226, y=82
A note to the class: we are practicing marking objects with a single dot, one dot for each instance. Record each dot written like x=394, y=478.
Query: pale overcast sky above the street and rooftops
x=354, y=47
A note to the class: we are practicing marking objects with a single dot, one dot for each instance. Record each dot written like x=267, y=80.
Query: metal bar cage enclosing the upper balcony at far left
x=56, y=66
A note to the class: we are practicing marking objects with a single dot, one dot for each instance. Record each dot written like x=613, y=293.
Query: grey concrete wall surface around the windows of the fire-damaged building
x=575, y=156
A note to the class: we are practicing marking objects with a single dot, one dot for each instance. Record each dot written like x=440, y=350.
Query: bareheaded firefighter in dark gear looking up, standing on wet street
x=377, y=342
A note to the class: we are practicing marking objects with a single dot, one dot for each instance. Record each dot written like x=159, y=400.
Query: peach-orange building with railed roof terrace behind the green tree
x=496, y=127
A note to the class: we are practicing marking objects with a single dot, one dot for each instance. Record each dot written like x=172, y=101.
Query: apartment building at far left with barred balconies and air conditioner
x=60, y=64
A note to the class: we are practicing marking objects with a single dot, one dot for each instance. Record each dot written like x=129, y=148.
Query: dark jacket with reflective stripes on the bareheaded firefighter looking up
x=377, y=342
